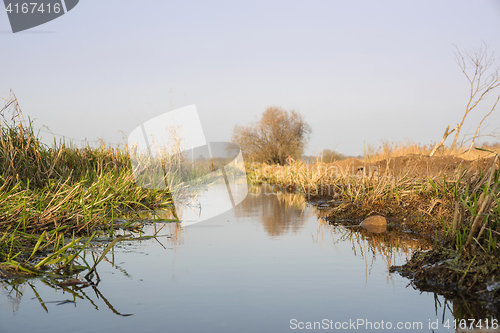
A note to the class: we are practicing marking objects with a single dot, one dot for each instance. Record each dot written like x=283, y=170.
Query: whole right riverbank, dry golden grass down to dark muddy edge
x=452, y=200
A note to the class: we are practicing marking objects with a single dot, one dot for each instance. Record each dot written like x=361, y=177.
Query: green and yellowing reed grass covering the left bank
x=54, y=200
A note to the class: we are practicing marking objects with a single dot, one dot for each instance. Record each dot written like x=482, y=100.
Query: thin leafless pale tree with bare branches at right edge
x=483, y=75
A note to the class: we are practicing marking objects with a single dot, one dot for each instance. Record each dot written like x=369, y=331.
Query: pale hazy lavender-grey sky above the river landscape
x=357, y=70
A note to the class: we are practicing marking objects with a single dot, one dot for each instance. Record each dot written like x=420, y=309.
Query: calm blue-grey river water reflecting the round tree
x=265, y=266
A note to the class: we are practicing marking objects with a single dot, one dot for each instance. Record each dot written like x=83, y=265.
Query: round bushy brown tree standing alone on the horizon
x=277, y=135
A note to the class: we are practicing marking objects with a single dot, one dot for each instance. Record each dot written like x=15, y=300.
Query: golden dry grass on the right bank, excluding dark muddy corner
x=426, y=204
